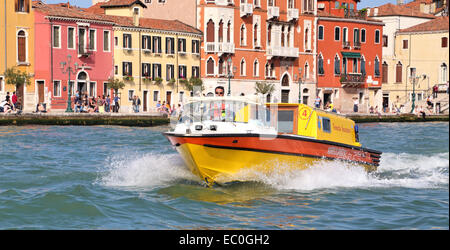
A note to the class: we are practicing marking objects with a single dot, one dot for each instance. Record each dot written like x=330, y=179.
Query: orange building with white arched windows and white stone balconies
x=269, y=41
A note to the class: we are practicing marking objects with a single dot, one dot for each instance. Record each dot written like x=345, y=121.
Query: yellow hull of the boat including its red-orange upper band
x=225, y=158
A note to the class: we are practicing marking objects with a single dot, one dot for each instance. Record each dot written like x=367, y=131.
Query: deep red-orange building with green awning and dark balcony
x=349, y=56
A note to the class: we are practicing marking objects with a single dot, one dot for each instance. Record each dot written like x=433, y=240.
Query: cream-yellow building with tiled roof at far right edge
x=421, y=61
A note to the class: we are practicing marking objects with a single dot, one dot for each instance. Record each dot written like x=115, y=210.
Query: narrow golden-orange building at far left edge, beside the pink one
x=17, y=48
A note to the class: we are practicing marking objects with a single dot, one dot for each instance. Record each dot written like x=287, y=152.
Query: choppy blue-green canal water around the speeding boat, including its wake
x=131, y=178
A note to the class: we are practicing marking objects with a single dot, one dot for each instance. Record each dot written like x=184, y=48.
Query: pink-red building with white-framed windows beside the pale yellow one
x=62, y=31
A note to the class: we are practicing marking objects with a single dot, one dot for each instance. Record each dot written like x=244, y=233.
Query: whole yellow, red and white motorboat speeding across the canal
x=219, y=137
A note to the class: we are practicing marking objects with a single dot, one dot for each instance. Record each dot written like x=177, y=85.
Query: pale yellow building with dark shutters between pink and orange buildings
x=152, y=56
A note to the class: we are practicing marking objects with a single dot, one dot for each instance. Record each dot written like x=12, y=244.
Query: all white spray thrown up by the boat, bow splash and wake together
x=395, y=170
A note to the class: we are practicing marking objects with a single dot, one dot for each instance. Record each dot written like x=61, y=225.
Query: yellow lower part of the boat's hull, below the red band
x=225, y=165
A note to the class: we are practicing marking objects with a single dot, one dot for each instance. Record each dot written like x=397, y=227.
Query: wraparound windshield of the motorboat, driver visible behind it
x=222, y=110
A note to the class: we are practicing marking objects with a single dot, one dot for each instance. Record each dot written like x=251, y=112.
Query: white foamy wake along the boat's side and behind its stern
x=395, y=170
